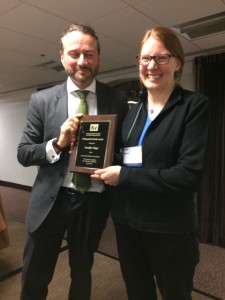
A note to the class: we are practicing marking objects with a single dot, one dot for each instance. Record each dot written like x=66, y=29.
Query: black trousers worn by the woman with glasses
x=168, y=258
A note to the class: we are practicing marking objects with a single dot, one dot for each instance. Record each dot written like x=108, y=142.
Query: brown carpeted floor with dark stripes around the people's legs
x=107, y=280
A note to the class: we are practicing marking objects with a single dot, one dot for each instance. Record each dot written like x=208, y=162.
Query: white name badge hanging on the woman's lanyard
x=132, y=156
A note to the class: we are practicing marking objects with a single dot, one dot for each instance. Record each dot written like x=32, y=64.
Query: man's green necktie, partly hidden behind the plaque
x=80, y=180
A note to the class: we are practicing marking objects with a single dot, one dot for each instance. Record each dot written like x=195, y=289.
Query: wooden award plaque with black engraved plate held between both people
x=95, y=143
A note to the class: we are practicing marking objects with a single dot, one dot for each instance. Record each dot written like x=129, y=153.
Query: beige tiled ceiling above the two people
x=30, y=31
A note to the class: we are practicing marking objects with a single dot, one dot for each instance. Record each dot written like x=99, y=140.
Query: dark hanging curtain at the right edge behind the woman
x=210, y=80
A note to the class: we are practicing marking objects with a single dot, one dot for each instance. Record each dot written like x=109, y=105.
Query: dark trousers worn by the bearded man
x=83, y=218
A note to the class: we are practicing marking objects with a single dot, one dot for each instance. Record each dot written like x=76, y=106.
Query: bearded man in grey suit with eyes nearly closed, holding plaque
x=56, y=206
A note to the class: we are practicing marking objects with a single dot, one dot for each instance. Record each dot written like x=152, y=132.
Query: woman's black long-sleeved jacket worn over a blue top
x=159, y=196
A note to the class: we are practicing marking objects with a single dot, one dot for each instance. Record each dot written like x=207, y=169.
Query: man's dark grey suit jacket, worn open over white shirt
x=48, y=109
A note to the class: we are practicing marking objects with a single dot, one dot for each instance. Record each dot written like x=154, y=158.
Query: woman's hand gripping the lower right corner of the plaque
x=109, y=175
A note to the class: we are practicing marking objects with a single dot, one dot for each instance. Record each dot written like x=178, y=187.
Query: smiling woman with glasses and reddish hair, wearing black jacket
x=164, y=138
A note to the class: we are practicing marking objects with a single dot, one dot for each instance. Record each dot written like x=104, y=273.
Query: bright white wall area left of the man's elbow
x=13, y=109
